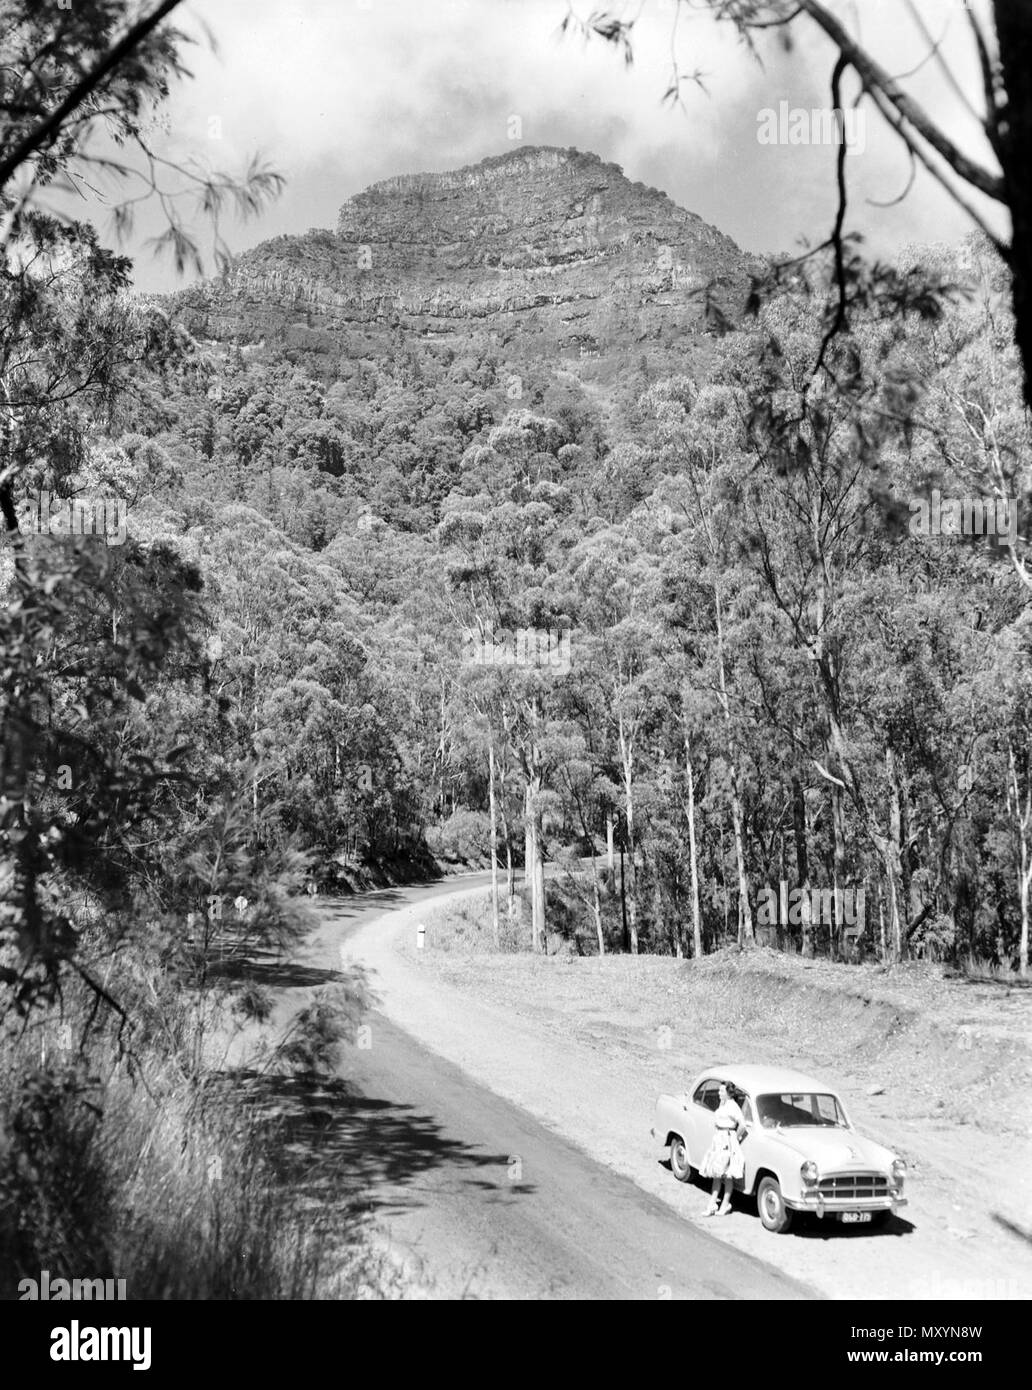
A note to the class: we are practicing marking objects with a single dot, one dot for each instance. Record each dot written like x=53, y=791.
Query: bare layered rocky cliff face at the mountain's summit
x=549, y=247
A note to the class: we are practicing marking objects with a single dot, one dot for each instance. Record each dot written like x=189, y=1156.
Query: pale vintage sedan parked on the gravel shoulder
x=800, y=1149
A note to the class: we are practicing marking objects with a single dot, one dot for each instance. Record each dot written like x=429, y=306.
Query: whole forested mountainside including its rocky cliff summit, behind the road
x=382, y=445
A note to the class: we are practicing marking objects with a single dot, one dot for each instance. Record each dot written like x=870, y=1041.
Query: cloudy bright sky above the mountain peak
x=340, y=94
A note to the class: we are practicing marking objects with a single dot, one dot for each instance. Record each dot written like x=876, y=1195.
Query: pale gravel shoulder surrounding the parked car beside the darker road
x=585, y=1046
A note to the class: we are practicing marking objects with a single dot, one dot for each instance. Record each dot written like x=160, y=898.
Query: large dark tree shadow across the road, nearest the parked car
x=340, y=1146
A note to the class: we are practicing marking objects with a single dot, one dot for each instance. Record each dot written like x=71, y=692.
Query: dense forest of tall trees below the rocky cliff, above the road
x=736, y=558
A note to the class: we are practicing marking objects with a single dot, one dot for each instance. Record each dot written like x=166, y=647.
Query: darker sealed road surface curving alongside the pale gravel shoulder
x=481, y=1197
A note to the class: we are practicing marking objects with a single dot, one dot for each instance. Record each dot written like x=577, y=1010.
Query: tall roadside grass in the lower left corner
x=156, y=1170
